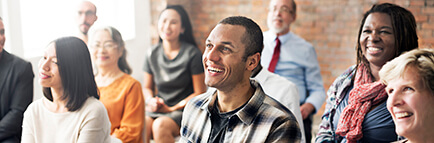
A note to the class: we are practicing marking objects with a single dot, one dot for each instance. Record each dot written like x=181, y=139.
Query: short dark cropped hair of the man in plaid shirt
x=252, y=38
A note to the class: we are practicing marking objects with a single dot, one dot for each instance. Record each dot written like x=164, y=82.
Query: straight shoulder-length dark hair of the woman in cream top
x=75, y=69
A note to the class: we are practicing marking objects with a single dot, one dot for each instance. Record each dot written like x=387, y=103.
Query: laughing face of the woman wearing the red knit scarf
x=377, y=39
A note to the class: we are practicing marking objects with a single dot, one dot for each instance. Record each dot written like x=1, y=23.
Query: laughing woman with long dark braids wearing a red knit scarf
x=356, y=108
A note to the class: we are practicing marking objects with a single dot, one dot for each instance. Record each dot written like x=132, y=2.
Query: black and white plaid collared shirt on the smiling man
x=262, y=119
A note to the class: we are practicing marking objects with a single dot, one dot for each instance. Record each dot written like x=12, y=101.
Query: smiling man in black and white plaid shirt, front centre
x=238, y=110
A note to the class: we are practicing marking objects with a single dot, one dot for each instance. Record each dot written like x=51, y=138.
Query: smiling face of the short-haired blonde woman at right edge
x=411, y=104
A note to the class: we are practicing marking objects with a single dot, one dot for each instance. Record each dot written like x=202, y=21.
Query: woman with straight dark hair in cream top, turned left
x=70, y=110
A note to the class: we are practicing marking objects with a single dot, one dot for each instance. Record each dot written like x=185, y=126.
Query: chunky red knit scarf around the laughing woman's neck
x=363, y=96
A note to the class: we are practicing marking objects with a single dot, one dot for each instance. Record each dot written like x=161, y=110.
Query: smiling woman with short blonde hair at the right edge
x=410, y=86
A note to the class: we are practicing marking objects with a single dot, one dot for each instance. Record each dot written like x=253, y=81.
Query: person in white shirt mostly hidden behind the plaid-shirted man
x=282, y=90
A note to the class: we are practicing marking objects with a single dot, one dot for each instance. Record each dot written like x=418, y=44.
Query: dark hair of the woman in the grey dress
x=187, y=36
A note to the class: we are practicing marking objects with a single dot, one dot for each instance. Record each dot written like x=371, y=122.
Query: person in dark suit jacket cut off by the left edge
x=16, y=91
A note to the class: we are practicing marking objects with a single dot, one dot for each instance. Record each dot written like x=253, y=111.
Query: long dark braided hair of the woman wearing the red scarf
x=404, y=29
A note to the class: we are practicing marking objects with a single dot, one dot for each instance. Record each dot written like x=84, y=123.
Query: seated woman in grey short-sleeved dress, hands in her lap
x=174, y=69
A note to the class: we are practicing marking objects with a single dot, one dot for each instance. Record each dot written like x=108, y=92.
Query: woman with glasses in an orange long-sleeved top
x=120, y=93
